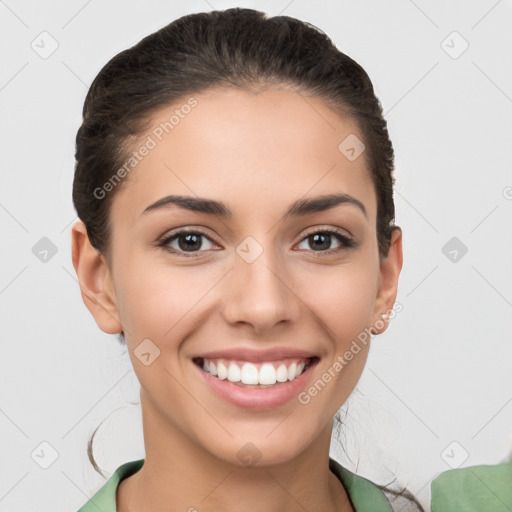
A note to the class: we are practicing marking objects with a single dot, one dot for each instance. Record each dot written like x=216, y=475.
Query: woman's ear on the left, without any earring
x=95, y=281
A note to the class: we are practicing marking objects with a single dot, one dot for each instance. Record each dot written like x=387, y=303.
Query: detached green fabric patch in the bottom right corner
x=474, y=489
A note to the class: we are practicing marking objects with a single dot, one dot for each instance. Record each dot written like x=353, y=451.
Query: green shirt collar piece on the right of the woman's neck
x=365, y=495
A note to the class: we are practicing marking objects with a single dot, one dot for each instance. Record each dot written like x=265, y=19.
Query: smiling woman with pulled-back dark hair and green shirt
x=235, y=193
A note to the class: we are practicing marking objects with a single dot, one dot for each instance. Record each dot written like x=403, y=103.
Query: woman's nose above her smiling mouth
x=260, y=294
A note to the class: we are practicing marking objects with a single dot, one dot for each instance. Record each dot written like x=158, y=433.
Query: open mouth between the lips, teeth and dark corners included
x=256, y=375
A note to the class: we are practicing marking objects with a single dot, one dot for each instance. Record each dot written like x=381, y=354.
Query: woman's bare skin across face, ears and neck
x=257, y=153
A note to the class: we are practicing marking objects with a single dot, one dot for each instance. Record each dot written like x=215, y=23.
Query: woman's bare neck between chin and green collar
x=180, y=474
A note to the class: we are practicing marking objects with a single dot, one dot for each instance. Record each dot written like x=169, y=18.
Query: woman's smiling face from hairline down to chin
x=260, y=292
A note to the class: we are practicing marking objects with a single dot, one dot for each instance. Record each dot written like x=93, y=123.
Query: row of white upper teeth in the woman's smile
x=249, y=373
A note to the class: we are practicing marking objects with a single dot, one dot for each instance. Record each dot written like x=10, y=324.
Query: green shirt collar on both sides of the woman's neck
x=364, y=494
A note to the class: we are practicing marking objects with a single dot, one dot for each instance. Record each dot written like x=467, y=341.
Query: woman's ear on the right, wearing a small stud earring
x=390, y=268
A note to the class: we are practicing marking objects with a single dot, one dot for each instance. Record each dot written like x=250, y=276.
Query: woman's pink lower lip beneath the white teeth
x=257, y=398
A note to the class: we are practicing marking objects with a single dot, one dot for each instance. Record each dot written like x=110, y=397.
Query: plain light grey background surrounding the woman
x=440, y=374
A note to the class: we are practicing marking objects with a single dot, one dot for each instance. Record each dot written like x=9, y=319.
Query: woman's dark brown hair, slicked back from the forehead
x=236, y=47
